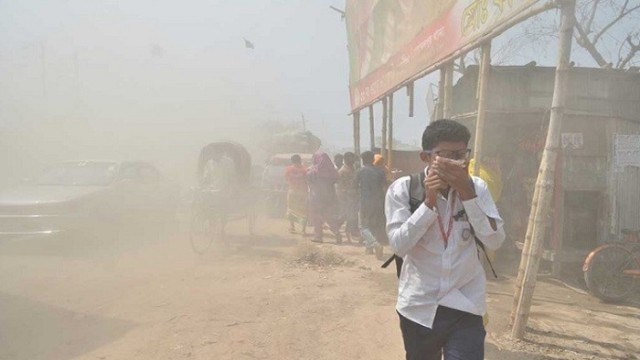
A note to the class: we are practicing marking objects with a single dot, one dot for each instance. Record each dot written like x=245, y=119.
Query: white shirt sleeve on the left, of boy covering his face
x=404, y=228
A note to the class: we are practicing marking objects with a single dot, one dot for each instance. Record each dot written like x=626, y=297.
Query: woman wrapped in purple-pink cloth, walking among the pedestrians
x=323, y=203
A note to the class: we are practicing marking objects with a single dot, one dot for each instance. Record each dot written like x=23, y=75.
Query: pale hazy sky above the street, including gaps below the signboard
x=146, y=77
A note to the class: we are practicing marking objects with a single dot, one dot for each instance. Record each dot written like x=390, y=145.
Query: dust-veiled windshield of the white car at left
x=78, y=174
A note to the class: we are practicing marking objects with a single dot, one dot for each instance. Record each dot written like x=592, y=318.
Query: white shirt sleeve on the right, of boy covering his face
x=478, y=210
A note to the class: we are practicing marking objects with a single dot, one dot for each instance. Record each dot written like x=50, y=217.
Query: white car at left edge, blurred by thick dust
x=76, y=195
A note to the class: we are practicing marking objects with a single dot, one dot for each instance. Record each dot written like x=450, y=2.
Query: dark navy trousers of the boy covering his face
x=457, y=334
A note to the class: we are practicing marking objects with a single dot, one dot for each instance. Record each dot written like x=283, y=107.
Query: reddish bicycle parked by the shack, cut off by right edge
x=612, y=270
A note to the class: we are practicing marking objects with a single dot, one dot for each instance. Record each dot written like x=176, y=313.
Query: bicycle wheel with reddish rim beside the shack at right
x=606, y=276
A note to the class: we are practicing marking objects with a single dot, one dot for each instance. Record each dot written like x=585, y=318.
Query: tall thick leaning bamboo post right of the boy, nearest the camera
x=544, y=183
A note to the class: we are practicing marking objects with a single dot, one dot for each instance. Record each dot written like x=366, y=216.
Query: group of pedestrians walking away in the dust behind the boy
x=347, y=191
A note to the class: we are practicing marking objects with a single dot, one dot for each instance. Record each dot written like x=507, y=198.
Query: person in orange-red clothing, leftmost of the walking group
x=297, y=195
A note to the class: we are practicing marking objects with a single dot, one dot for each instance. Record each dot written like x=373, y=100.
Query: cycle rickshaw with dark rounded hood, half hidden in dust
x=213, y=208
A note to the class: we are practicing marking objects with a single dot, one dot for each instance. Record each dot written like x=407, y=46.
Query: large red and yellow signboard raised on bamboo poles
x=391, y=41
